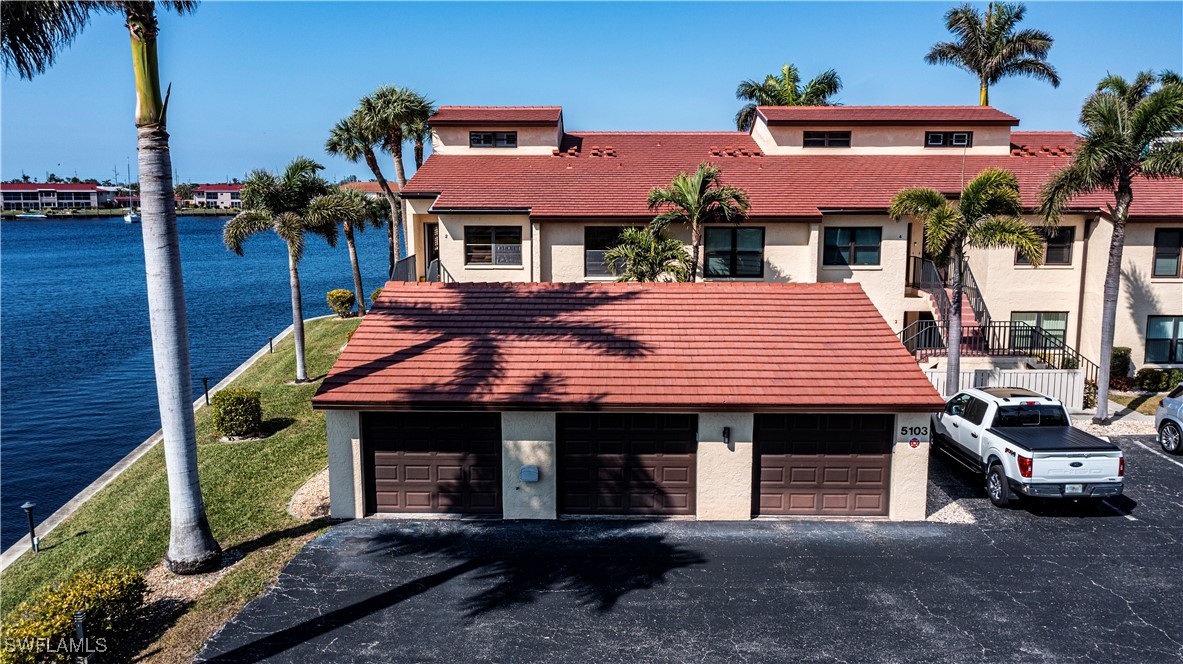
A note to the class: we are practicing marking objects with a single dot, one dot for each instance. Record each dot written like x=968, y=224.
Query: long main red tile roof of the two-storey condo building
x=610, y=175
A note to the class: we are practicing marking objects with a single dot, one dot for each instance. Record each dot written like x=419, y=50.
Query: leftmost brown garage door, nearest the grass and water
x=444, y=463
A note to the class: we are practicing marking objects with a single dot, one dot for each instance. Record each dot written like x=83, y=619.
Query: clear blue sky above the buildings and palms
x=257, y=83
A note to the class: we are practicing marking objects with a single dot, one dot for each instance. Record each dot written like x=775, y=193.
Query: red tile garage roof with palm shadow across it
x=641, y=347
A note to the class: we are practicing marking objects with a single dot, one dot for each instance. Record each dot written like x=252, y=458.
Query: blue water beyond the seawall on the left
x=77, y=390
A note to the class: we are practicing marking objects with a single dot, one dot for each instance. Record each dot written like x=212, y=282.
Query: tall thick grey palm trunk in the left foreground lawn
x=192, y=547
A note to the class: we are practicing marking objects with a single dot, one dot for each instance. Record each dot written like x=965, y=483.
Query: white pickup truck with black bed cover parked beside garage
x=1025, y=446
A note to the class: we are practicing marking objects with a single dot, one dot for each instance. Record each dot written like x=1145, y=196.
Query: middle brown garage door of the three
x=626, y=463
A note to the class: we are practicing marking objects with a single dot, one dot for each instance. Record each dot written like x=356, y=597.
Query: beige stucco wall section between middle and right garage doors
x=725, y=472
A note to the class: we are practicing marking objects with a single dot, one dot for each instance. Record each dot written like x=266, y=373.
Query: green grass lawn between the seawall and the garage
x=247, y=488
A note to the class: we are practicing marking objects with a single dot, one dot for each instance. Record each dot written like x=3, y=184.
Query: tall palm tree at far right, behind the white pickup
x=1127, y=126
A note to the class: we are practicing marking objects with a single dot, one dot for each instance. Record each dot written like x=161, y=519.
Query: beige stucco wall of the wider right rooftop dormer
x=867, y=140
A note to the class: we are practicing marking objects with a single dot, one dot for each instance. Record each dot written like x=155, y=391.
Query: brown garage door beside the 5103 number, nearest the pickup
x=835, y=465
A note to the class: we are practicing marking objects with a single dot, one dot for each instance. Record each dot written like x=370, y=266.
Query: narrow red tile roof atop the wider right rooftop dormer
x=933, y=117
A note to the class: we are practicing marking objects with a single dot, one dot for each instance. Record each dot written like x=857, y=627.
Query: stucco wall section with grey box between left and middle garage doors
x=528, y=439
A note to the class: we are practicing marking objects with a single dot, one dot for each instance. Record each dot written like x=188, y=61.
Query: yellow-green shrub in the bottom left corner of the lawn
x=112, y=598
